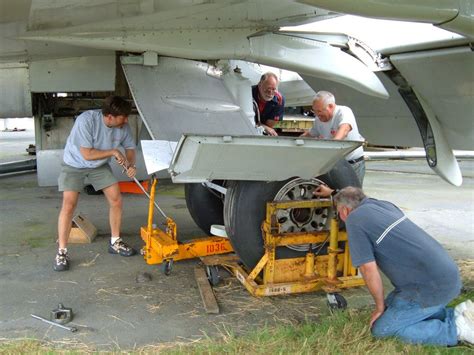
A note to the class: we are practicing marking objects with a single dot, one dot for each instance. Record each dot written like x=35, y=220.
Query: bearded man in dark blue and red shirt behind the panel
x=269, y=104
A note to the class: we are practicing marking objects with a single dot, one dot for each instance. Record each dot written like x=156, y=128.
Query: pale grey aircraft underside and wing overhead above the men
x=49, y=47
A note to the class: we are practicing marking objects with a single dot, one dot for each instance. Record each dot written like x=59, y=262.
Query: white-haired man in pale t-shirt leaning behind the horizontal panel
x=337, y=122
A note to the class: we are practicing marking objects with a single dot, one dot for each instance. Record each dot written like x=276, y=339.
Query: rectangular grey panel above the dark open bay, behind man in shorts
x=78, y=74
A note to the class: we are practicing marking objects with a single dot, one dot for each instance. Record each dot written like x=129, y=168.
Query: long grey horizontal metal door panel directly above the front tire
x=201, y=158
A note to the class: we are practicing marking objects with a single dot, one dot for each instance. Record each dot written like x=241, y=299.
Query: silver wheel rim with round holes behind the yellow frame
x=293, y=220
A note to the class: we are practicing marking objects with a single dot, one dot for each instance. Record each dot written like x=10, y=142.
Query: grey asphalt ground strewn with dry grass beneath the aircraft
x=113, y=310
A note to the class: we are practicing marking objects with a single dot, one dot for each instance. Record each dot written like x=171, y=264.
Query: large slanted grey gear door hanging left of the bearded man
x=178, y=96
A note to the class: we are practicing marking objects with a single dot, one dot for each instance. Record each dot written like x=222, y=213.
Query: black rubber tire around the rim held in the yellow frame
x=245, y=205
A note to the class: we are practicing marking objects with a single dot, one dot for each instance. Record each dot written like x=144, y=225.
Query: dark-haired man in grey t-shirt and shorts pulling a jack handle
x=95, y=138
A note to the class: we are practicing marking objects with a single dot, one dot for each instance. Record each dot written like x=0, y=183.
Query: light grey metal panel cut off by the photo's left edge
x=15, y=95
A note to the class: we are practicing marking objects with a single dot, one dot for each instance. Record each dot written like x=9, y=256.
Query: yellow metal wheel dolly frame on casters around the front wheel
x=271, y=276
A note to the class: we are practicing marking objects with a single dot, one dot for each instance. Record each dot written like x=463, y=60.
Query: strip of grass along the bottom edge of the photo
x=339, y=333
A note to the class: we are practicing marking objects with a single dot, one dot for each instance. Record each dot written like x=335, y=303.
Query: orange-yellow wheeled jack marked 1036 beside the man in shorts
x=163, y=246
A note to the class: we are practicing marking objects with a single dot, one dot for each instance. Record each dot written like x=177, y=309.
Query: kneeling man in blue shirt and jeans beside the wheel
x=425, y=277
